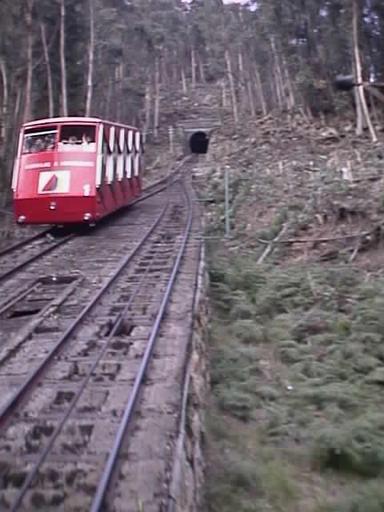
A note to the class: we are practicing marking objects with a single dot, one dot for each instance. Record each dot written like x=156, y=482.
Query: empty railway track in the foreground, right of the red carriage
x=72, y=367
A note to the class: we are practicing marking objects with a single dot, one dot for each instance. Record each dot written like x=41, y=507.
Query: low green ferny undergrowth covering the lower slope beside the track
x=297, y=372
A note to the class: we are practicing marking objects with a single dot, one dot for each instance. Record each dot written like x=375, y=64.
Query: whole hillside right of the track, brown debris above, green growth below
x=296, y=420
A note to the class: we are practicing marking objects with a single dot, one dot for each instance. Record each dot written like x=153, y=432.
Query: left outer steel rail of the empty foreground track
x=14, y=401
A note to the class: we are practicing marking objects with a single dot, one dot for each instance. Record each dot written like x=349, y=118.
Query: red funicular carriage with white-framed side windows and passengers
x=75, y=169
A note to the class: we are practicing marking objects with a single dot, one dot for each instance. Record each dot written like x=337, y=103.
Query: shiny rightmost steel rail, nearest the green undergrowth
x=102, y=488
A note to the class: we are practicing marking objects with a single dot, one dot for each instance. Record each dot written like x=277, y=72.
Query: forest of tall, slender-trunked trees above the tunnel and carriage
x=115, y=58
